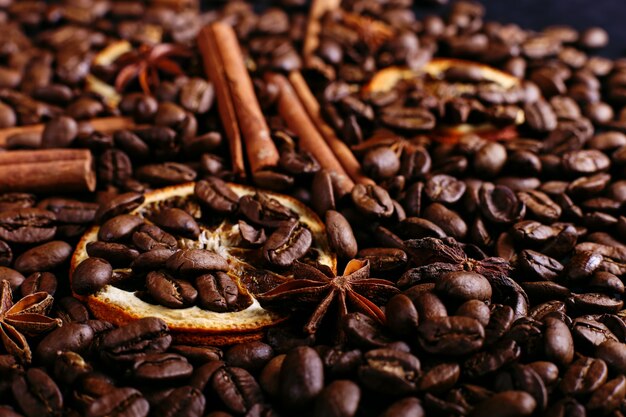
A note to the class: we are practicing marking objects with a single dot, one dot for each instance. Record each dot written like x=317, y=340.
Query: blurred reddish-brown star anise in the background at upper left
x=146, y=62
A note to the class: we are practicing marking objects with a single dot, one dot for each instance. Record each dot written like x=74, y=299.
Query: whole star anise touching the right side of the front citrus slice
x=318, y=289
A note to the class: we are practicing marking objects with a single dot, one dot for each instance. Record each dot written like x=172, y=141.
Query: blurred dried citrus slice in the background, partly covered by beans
x=433, y=74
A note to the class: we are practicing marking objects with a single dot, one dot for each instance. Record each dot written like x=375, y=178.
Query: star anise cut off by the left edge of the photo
x=25, y=318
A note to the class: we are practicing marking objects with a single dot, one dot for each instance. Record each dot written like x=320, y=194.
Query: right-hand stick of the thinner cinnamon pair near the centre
x=341, y=151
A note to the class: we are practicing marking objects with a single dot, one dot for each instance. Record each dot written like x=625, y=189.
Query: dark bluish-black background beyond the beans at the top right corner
x=580, y=14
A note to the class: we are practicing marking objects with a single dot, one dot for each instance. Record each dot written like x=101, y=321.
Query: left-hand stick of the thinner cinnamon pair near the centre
x=294, y=113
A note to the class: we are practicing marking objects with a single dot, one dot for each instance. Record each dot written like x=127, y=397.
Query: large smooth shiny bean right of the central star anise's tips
x=463, y=286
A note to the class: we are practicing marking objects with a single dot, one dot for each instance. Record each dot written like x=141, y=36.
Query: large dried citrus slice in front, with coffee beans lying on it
x=194, y=324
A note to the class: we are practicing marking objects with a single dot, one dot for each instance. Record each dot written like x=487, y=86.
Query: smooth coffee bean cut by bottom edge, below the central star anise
x=338, y=399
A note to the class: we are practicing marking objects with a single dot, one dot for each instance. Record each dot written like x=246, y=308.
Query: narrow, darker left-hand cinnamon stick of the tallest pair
x=214, y=70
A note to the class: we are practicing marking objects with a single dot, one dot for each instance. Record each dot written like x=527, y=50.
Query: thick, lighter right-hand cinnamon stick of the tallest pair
x=260, y=148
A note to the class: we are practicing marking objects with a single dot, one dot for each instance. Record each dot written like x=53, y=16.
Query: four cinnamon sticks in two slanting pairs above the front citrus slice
x=242, y=117
